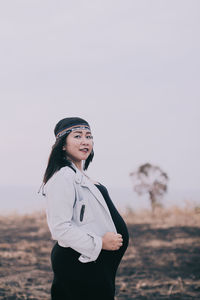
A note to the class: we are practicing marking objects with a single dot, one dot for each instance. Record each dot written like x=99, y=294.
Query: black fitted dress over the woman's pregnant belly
x=74, y=280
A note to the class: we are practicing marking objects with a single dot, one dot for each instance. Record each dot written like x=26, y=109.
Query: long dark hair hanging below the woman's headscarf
x=57, y=159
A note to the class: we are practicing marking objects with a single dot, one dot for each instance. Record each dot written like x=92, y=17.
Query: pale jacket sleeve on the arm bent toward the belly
x=60, y=195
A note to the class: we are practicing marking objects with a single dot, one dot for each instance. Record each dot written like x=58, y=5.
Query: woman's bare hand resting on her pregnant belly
x=112, y=241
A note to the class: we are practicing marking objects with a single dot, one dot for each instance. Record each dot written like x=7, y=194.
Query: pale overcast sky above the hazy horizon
x=130, y=68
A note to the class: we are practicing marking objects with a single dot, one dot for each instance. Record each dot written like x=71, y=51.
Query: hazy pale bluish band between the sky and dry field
x=26, y=199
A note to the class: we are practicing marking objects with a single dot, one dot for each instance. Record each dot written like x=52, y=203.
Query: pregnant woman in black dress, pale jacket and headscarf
x=90, y=233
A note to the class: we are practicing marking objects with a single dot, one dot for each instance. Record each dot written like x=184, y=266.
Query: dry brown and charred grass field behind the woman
x=162, y=261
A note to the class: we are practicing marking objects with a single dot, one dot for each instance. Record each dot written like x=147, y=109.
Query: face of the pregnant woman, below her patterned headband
x=79, y=144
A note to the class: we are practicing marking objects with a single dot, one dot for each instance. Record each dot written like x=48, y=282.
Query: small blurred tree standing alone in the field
x=152, y=180
